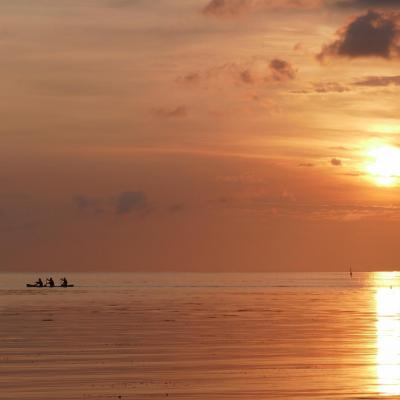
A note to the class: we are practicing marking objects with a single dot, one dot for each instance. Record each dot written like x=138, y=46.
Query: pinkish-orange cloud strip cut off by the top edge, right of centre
x=234, y=8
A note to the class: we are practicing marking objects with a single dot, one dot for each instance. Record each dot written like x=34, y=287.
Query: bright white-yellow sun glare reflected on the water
x=388, y=335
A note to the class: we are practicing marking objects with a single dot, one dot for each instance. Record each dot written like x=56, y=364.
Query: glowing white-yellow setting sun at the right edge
x=384, y=165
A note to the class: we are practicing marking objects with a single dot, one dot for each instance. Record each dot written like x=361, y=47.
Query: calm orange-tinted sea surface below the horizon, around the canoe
x=201, y=336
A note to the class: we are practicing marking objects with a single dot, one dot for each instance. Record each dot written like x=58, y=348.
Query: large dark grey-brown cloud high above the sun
x=374, y=34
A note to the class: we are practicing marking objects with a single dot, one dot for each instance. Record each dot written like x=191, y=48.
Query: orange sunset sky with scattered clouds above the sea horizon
x=199, y=135
